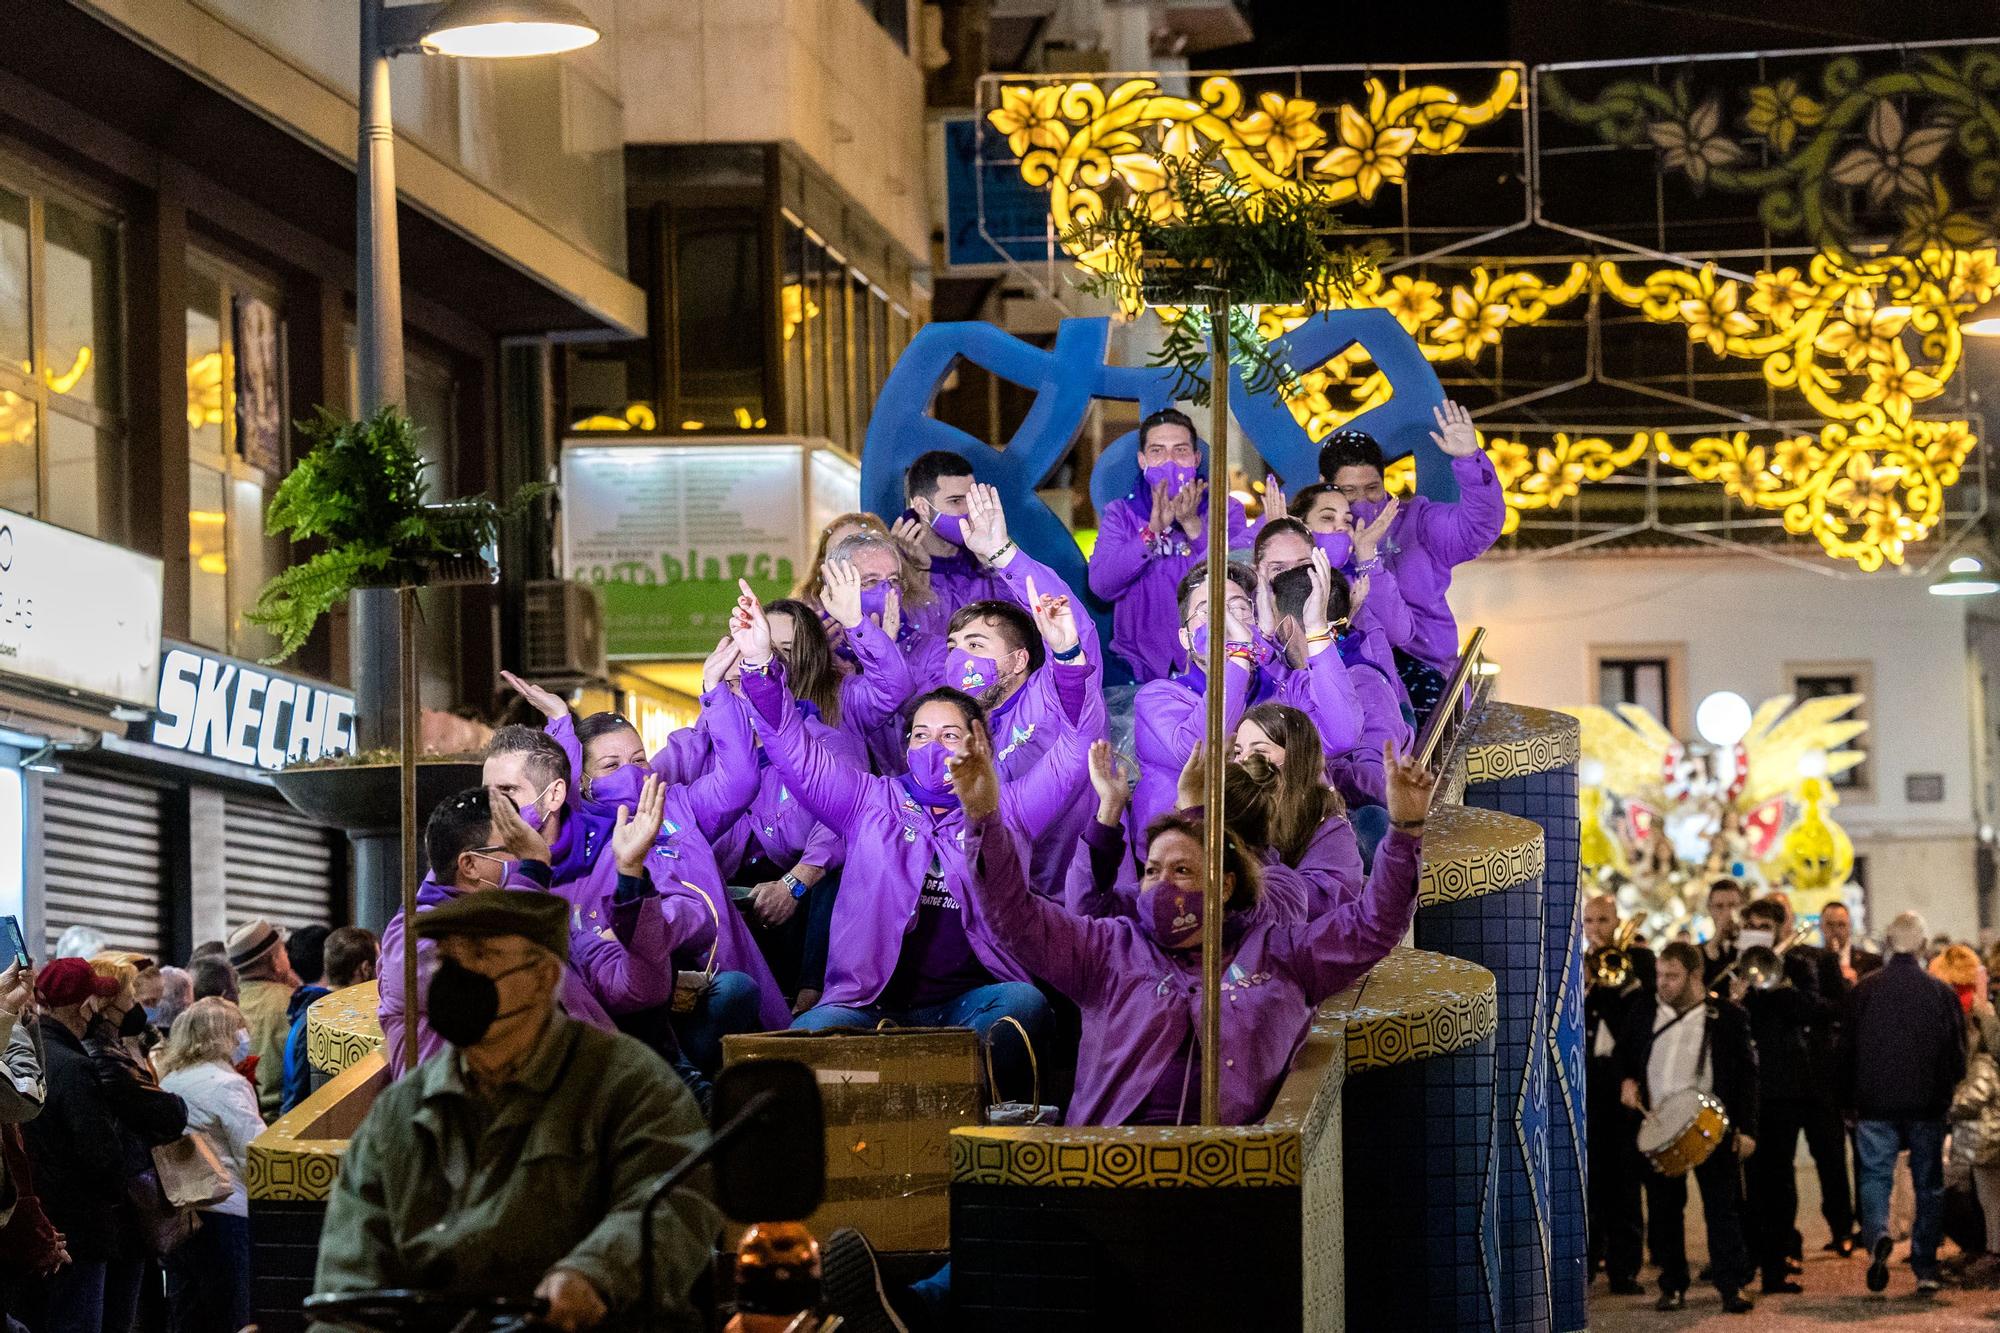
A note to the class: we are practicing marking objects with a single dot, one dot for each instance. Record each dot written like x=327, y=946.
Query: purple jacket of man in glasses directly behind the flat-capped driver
x=611, y=972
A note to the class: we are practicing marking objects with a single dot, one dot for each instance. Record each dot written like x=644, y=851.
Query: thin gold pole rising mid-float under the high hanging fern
x=1219, y=561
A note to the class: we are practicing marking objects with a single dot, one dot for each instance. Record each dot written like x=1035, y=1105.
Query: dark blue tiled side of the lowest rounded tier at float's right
x=1423, y=1238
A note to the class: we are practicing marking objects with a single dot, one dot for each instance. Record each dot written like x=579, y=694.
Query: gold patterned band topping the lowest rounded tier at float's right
x=1415, y=1006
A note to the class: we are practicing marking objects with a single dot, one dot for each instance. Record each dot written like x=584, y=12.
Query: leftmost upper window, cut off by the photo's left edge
x=61, y=367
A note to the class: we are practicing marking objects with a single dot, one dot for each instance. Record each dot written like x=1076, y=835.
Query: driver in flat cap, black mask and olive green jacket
x=519, y=1160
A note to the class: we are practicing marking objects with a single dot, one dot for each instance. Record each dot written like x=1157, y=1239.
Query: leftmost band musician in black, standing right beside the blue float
x=1617, y=1230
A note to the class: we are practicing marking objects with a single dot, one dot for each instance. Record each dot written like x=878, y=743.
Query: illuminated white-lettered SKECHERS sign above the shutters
x=245, y=716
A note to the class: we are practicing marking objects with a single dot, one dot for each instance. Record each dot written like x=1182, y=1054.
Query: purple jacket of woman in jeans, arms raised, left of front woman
x=893, y=842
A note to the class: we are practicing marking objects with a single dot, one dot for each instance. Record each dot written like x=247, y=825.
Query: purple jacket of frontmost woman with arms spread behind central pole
x=1141, y=1004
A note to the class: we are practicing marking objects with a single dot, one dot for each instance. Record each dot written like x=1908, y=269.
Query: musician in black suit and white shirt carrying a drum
x=1687, y=1044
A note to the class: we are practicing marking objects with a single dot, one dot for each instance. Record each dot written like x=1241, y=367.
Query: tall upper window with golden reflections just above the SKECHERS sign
x=237, y=453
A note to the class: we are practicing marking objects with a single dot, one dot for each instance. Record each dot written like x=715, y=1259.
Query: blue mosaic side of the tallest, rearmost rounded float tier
x=1551, y=802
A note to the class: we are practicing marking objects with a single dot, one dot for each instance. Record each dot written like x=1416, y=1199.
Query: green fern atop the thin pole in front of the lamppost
x=361, y=491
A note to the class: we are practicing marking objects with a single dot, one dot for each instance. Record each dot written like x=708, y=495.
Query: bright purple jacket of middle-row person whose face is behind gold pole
x=1173, y=720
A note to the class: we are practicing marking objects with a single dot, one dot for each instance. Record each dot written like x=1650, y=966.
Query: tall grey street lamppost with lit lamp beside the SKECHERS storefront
x=475, y=29
